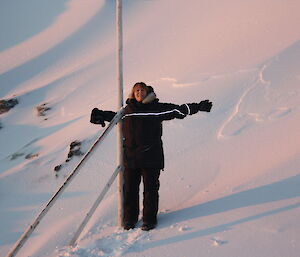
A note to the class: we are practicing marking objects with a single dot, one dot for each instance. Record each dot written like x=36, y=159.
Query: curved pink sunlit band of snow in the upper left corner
x=69, y=21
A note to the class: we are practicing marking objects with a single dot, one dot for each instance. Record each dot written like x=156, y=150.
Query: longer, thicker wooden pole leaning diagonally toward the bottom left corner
x=19, y=244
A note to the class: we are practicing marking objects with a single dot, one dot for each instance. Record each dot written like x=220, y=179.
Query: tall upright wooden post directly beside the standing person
x=120, y=104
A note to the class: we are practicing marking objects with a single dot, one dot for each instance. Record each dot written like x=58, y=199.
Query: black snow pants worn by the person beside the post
x=132, y=180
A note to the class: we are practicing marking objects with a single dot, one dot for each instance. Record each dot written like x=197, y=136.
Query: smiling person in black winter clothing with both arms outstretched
x=143, y=148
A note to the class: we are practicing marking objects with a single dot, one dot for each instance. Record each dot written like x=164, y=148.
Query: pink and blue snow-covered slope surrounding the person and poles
x=231, y=182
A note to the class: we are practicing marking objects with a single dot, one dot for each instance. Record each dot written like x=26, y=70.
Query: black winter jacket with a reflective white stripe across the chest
x=142, y=131
